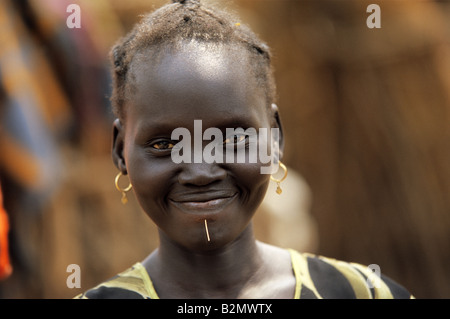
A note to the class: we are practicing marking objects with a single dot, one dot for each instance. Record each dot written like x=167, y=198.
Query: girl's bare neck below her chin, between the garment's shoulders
x=221, y=273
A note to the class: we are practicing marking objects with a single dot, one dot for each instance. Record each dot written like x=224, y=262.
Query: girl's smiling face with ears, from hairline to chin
x=211, y=83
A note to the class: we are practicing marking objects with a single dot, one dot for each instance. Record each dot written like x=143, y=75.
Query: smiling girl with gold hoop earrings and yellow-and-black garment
x=185, y=63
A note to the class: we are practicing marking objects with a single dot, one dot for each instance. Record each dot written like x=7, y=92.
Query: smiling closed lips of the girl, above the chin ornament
x=198, y=202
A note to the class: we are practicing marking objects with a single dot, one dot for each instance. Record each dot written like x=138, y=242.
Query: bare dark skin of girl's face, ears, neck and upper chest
x=215, y=84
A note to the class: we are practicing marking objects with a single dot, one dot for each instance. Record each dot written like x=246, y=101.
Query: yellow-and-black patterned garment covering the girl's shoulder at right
x=324, y=277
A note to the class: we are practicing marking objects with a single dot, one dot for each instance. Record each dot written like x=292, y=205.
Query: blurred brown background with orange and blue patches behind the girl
x=367, y=123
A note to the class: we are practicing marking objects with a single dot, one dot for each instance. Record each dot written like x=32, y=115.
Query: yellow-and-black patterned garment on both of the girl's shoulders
x=317, y=277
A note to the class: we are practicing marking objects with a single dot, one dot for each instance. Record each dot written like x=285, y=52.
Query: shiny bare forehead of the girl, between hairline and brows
x=195, y=80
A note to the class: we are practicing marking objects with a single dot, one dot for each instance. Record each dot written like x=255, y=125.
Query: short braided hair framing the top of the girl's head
x=186, y=20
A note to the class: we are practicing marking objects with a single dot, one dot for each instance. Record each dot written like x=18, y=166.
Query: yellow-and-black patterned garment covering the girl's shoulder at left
x=132, y=283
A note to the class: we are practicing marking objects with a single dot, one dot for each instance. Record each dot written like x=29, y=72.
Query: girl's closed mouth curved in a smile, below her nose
x=202, y=203
